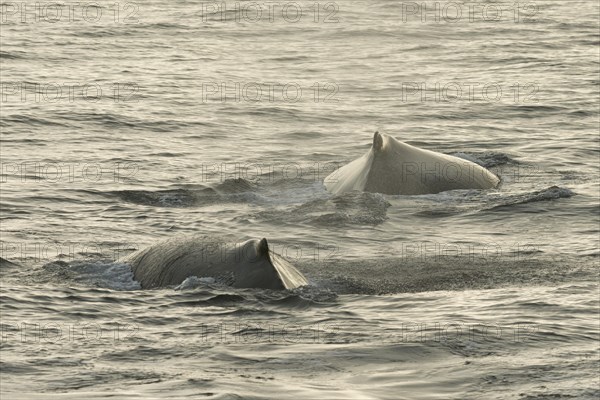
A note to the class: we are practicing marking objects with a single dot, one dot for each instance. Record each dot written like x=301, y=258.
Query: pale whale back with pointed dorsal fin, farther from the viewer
x=396, y=168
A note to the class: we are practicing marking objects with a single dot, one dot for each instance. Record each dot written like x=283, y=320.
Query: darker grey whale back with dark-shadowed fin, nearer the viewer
x=250, y=264
